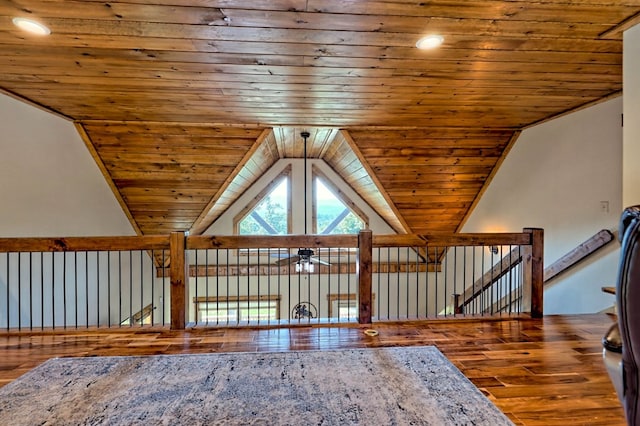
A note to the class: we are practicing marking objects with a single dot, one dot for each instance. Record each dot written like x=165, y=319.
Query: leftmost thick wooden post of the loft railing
x=179, y=274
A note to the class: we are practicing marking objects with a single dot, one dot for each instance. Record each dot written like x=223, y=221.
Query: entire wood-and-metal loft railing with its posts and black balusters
x=183, y=281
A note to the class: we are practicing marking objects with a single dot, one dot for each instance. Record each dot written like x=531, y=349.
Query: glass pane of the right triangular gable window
x=332, y=216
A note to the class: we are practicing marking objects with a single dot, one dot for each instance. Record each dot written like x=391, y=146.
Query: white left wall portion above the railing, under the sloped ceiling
x=49, y=183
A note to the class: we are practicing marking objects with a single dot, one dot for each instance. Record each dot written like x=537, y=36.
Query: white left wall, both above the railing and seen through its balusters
x=51, y=186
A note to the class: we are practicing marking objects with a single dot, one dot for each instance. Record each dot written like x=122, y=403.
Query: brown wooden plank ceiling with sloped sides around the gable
x=184, y=103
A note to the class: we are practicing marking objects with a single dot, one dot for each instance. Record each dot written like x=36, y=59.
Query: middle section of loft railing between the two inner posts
x=226, y=274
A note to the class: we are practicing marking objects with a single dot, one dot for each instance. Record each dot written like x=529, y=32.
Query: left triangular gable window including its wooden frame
x=270, y=212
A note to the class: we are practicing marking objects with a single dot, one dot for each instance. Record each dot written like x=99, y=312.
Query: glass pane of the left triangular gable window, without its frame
x=269, y=217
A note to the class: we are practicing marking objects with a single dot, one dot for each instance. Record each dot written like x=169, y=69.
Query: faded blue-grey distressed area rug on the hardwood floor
x=383, y=386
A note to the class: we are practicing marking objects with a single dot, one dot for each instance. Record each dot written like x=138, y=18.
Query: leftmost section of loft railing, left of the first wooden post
x=78, y=282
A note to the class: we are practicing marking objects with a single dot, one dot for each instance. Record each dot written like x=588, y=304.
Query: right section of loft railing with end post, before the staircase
x=483, y=274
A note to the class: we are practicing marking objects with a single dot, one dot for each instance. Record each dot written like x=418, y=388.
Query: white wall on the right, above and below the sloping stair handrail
x=555, y=178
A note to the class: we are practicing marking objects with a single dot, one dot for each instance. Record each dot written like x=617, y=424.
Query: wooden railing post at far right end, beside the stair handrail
x=535, y=264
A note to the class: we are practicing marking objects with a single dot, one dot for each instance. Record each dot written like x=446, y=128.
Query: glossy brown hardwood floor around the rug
x=538, y=371
